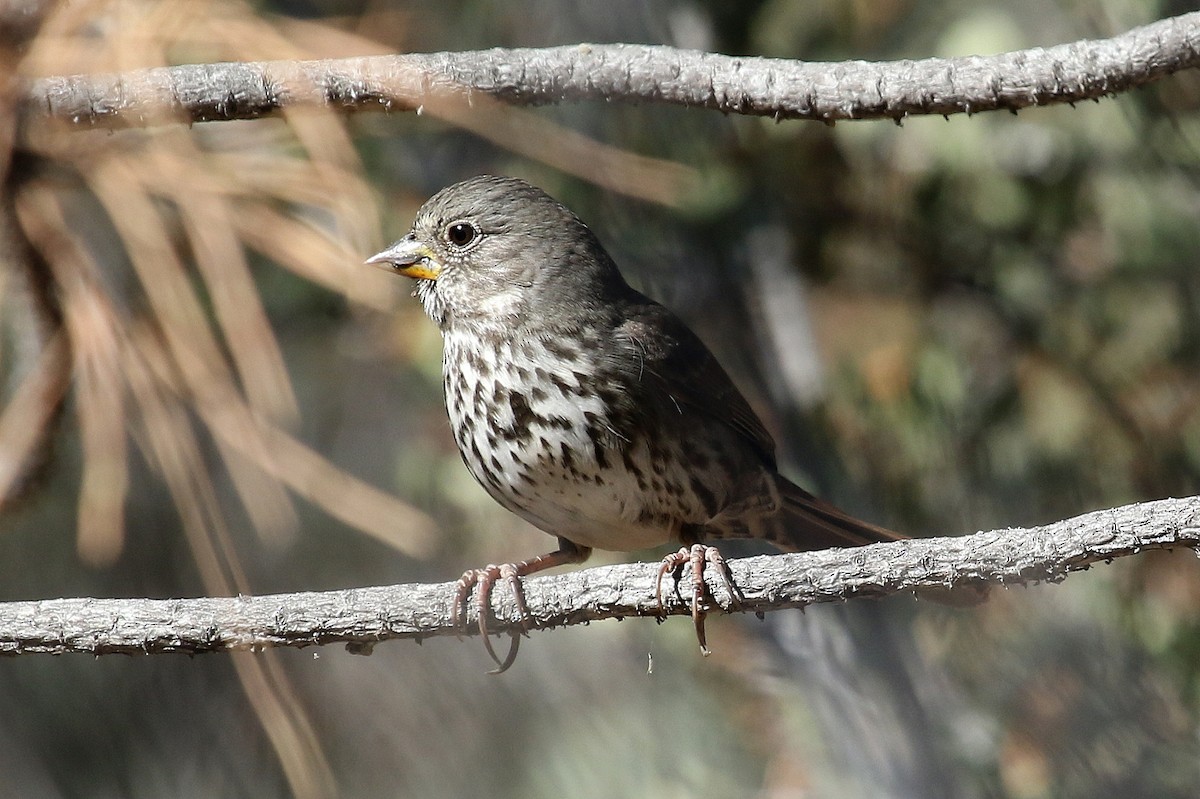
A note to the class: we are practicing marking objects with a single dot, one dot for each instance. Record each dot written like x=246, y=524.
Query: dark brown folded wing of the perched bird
x=673, y=357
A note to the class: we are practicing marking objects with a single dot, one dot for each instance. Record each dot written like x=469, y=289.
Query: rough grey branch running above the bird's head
x=778, y=88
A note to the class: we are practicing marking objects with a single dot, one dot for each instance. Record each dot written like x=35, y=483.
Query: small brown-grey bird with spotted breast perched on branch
x=587, y=408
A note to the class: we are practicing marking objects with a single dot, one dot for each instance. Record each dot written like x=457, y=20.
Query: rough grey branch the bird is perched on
x=363, y=617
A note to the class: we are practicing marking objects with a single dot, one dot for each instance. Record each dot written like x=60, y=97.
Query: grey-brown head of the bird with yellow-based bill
x=487, y=250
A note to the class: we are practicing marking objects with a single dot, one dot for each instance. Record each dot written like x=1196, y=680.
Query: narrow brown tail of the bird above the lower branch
x=806, y=522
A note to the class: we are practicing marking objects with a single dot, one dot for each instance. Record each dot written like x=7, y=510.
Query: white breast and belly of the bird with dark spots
x=548, y=430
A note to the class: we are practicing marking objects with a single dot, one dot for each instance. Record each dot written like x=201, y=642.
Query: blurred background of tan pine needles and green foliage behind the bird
x=951, y=326
